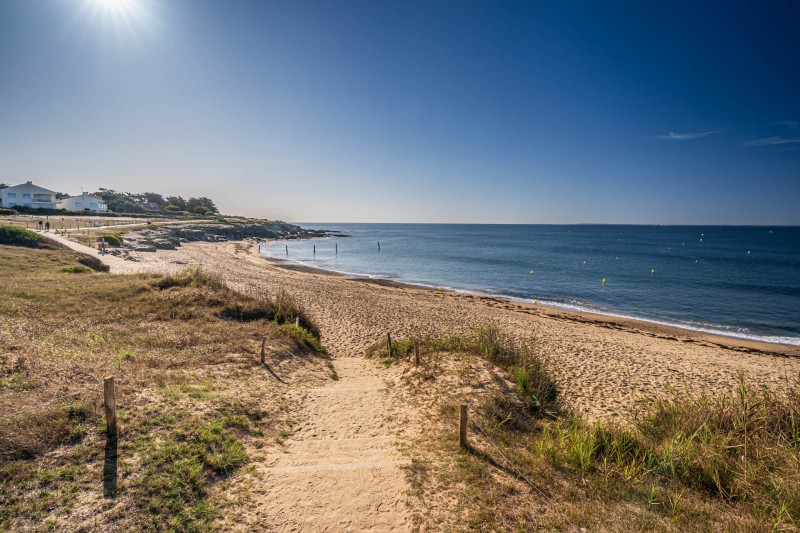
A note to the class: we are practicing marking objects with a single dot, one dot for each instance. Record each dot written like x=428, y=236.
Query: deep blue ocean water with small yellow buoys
x=736, y=281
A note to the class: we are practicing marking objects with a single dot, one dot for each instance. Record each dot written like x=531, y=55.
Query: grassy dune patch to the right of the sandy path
x=723, y=461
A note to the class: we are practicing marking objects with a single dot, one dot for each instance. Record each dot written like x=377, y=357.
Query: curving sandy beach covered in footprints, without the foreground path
x=603, y=364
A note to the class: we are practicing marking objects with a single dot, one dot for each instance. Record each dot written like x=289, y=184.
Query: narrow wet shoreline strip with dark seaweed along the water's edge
x=612, y=321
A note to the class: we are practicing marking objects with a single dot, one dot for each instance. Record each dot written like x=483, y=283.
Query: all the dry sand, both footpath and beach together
x=341, y=469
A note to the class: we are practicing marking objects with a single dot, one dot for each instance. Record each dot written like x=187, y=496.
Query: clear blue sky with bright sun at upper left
x=406, y=111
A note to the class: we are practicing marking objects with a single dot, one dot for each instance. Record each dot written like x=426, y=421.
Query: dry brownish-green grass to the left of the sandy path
x=193, y=401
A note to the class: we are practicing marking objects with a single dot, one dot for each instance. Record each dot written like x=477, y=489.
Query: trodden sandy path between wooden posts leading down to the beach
x=340, y=469
